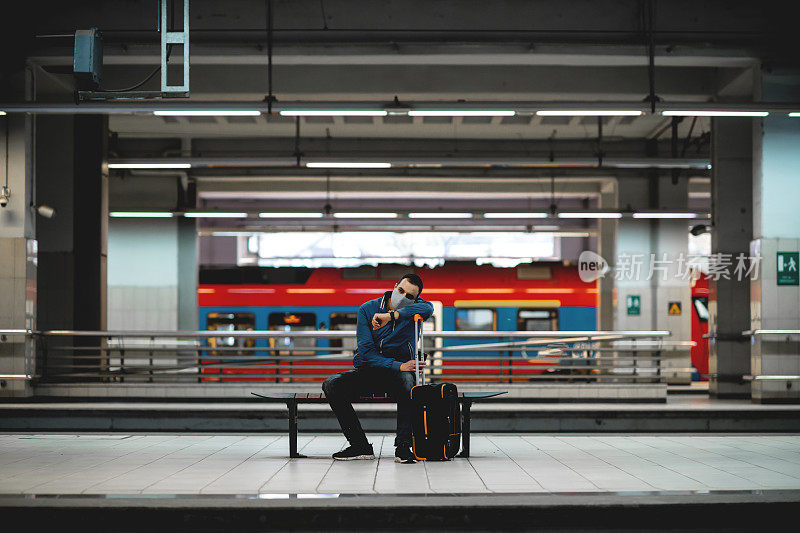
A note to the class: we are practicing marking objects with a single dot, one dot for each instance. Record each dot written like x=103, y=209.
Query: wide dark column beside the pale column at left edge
x=72, y=177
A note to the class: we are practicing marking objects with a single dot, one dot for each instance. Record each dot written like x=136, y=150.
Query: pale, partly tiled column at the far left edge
x=18, y=257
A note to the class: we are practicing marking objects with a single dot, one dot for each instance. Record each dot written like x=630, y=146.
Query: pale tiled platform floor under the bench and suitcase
x=239, y=464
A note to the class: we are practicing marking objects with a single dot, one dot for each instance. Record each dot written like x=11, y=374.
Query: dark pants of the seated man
x=342, y=389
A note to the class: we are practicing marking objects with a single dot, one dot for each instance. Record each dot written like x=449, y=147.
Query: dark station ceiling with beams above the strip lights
x=414, y=50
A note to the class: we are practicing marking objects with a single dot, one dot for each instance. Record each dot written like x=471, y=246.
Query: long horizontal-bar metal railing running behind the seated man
x=302, y=356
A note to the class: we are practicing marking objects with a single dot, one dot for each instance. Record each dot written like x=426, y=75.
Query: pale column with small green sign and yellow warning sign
x=660, y=243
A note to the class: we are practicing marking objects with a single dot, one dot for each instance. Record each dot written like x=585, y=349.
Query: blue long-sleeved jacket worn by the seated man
x=392, y=344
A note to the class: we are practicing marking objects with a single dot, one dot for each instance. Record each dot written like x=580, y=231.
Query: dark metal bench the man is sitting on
x=292, y=399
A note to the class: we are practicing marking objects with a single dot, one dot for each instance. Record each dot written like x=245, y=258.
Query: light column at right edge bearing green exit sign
x=774, y=304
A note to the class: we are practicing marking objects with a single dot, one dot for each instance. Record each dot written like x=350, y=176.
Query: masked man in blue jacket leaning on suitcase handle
x=384, y=363
